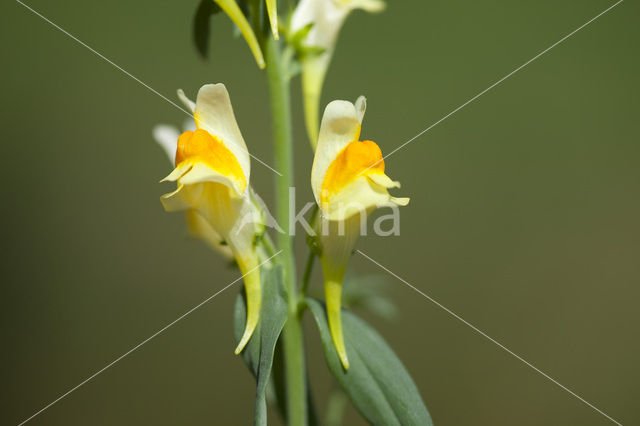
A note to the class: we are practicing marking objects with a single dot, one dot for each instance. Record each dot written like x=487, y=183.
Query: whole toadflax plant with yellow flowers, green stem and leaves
x=211, y=173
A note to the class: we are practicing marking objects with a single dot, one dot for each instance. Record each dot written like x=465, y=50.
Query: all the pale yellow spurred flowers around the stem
x=212, y=165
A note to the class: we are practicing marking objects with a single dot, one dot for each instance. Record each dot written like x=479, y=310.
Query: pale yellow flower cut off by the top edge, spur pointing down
x=327, y=17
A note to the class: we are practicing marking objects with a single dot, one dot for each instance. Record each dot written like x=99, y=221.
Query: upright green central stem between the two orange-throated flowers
x=295, y=372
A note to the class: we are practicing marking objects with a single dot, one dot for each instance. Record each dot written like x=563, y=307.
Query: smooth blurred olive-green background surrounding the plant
x=523, y=219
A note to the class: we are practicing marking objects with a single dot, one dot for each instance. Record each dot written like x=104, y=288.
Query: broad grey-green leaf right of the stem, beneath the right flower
x=377, y=383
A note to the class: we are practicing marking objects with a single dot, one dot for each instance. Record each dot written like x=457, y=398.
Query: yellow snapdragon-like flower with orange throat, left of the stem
x=212, y=172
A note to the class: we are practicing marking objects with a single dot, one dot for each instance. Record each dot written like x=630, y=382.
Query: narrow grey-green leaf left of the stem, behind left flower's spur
x=258, y=354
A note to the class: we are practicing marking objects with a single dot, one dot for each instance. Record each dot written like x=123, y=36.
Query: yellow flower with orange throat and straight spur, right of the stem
x=348, y=182
